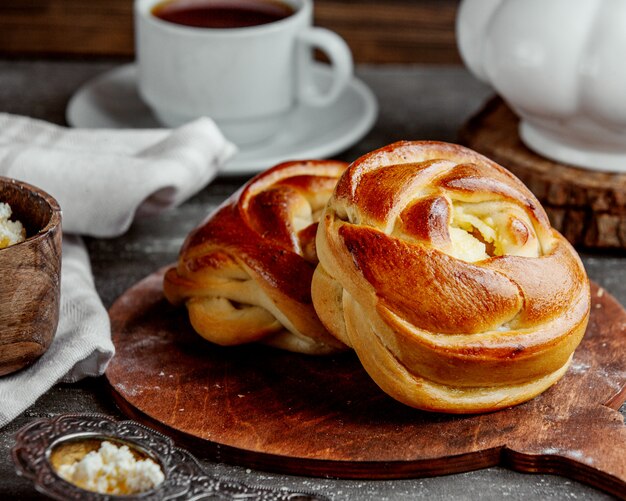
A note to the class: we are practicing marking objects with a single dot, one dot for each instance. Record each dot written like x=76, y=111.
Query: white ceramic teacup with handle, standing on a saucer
x=246, y=79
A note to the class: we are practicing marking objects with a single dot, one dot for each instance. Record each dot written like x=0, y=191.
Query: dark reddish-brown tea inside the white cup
x=222, y=13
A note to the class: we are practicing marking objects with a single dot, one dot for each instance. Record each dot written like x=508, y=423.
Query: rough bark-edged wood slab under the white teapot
x=588, y=207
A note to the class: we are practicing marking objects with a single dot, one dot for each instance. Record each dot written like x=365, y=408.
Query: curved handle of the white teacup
x=341, y=63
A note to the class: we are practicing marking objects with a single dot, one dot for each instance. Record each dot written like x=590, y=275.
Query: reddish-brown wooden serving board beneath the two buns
x=323, y=416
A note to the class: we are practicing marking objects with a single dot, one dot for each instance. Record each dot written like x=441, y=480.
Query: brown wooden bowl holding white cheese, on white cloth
x=30, y=277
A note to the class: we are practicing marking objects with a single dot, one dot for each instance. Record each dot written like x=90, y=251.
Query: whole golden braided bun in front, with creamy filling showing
x=441, y=270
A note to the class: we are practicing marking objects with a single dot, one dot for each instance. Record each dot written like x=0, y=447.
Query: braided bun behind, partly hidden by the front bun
x=245, y=273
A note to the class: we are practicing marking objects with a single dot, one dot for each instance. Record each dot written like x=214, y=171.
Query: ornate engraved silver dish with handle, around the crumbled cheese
x=184, y=477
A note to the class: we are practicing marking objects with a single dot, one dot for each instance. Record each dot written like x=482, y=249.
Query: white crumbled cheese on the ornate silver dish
x=113, y=470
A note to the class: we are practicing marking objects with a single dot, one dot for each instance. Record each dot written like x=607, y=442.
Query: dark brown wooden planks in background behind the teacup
x=388, y=31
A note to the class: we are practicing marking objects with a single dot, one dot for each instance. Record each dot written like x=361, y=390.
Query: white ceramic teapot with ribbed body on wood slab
x=561, y=66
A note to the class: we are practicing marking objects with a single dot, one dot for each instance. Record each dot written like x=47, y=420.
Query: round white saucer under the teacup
x=111, y=101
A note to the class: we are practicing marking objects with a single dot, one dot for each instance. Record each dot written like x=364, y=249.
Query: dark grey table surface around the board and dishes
x=416, y=102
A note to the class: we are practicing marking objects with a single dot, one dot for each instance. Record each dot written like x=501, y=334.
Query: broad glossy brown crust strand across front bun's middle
x=414, y=278
